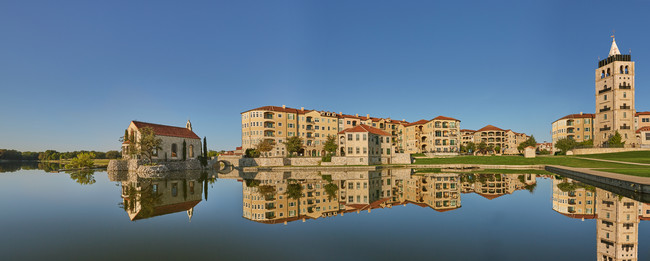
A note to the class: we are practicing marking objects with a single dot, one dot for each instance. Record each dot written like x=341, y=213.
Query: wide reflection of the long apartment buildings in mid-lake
x=282, y=197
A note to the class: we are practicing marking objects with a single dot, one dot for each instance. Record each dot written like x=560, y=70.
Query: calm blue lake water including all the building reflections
x=384, y=215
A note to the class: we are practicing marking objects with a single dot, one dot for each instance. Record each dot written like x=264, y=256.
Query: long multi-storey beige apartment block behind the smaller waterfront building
x=277, y=124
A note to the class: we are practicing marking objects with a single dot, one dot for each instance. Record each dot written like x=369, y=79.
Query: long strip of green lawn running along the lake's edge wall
x=520, y=160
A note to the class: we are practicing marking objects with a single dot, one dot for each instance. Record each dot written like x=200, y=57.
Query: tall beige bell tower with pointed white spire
x=615, y=98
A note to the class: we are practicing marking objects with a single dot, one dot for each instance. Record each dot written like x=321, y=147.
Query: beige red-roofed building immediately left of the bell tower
x=578, y=127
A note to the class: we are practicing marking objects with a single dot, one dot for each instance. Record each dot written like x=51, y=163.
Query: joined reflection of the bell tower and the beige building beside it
x=617, y=217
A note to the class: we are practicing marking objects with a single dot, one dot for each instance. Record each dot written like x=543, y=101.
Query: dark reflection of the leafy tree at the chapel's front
x=147, y=198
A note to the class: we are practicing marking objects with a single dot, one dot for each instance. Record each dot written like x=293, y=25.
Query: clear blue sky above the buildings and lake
x=74, y=73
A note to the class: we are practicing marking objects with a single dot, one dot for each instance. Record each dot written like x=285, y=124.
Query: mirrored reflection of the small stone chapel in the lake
x=146, y=197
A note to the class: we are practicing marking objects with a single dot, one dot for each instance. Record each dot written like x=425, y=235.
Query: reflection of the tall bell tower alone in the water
x=617, y=227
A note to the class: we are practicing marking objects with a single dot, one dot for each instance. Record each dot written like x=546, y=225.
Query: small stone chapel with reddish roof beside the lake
x=172, y=140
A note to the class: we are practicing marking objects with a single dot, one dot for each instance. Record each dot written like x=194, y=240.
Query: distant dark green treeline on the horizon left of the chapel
x=54, y=155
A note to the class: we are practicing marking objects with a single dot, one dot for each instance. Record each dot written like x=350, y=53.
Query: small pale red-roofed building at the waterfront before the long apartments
x=365, y=144
